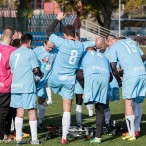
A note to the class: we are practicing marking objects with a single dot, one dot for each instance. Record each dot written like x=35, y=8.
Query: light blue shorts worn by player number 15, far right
x=134, y=87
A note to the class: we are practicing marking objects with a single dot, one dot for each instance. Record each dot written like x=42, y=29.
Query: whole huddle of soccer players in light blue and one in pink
x=93, y=71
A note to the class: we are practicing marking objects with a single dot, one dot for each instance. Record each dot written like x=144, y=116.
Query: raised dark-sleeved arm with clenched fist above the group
x=51, y=28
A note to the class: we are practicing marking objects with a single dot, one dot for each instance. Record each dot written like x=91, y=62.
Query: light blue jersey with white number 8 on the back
x=67, y=59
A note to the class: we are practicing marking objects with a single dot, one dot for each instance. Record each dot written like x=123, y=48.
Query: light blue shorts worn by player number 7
x=24, y=100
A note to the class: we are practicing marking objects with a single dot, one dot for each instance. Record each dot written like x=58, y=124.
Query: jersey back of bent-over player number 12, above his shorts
x=93, y=62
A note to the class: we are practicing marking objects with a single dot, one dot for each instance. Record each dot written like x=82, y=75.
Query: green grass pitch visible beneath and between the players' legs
x=53, y=116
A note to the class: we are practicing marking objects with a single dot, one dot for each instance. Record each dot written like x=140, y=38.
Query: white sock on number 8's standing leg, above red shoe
x=65, y=124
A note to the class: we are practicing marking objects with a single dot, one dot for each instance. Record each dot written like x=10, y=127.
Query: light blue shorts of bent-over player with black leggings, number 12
x=95, y=89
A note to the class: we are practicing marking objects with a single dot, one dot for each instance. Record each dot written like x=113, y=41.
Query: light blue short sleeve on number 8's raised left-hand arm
x=57, y=41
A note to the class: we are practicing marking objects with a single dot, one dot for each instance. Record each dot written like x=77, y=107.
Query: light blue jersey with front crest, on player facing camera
x=45, y=60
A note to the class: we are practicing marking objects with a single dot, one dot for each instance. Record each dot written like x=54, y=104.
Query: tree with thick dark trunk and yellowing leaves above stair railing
x=101, y=10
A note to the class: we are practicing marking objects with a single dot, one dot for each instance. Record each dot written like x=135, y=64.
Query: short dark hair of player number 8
x=69, y=30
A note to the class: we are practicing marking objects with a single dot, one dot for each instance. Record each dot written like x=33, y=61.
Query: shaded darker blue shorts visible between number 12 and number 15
x=113, y=94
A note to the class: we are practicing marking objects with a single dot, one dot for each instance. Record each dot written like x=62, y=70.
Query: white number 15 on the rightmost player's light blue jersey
x=130, y=47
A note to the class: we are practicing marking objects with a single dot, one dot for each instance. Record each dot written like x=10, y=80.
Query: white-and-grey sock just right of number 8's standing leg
x=78, y=111
